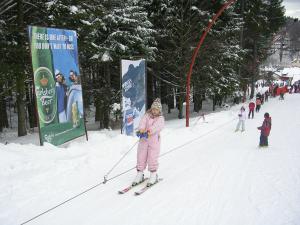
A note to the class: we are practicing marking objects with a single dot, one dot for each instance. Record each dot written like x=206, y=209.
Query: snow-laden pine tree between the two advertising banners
x=126, y=33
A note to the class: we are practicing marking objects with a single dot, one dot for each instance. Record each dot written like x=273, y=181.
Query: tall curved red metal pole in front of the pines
x=195, y=53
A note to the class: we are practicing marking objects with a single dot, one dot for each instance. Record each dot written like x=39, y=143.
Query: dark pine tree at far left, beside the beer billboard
x=15, y=65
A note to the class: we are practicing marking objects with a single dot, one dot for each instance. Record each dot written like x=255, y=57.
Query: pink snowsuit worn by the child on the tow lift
x=149, y=149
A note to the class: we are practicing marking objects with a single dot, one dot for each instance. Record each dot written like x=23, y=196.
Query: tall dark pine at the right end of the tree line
x=262, y=19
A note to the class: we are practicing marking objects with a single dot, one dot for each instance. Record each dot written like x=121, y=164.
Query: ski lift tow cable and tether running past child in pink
x=120, y=174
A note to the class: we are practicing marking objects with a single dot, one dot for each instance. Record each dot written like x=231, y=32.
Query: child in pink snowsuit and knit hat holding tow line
x=149, y=146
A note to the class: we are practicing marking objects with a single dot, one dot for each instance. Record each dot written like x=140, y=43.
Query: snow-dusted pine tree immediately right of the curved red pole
x=221, y=56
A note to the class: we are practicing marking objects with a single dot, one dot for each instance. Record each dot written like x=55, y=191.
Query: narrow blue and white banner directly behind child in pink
x=133, y=94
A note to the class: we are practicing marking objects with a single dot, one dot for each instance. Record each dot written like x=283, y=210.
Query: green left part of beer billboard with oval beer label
x=43, y=76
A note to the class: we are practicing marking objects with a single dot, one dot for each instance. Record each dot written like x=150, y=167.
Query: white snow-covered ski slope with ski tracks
x=220, y=178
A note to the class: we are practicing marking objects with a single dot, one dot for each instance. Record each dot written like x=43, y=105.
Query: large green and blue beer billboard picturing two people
x=57, y=84
